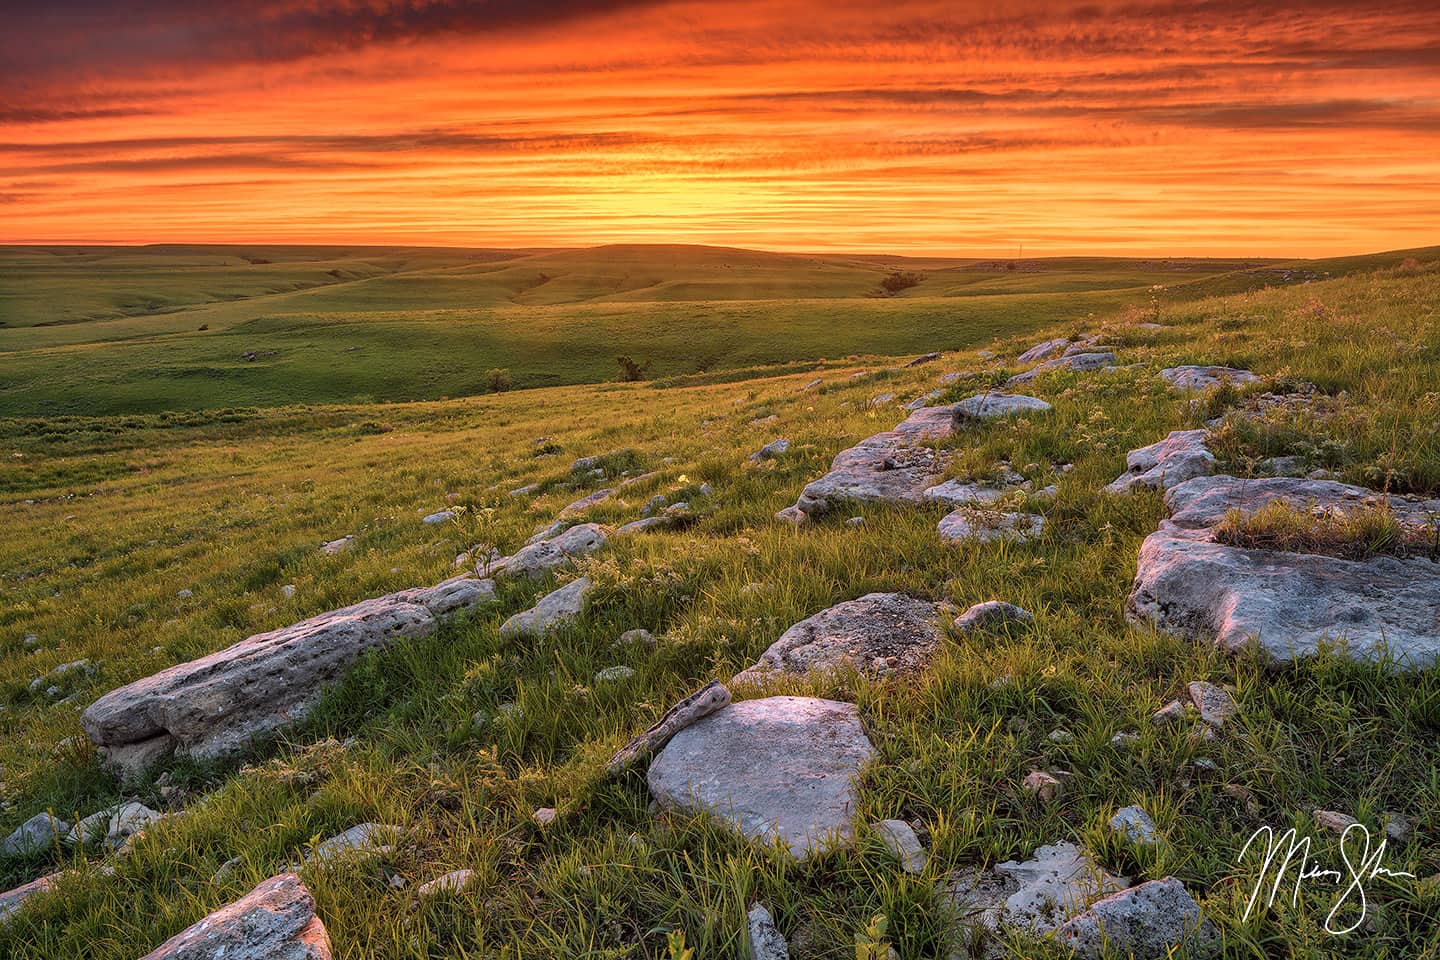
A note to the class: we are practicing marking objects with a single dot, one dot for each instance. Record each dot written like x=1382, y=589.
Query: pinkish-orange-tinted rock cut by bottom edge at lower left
x=274, y=922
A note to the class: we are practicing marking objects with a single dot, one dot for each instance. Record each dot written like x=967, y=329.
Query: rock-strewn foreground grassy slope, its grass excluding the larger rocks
x=127, y=512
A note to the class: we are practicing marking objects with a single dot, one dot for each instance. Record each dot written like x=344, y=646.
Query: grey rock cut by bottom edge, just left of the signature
x=1148, y=920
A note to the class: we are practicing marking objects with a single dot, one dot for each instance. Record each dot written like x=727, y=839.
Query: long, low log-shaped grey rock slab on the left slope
x=218, y=705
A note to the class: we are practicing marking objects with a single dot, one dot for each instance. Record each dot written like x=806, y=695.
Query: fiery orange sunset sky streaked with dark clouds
x=905, y=127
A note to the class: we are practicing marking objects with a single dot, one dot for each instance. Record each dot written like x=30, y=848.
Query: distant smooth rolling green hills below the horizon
x=123, y=327
